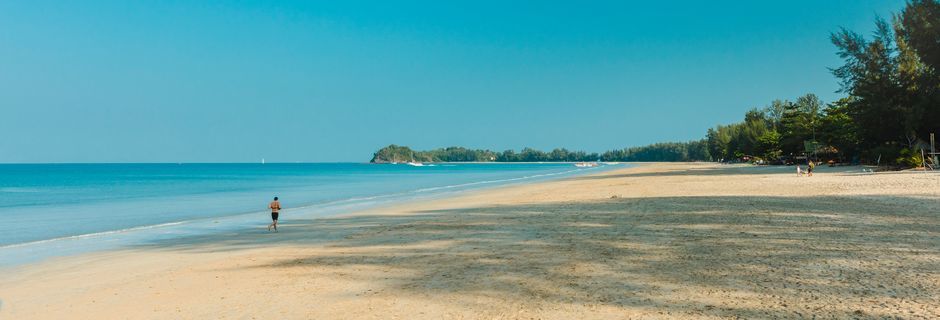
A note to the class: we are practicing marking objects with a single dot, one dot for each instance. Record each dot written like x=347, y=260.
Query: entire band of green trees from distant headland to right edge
x=891, y=107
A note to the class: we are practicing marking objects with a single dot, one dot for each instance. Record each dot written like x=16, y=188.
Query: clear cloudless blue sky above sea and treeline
x=333, y=81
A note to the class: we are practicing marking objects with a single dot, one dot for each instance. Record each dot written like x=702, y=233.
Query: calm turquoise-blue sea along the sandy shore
x=54, y=210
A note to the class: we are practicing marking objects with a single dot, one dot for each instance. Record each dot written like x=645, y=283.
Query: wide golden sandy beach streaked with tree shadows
x=669, y=241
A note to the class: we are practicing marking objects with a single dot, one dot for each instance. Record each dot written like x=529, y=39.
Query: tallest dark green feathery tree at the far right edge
x=892, y=79
